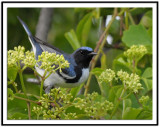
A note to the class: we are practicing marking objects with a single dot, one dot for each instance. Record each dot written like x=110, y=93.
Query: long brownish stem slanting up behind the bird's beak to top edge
x=99, y=47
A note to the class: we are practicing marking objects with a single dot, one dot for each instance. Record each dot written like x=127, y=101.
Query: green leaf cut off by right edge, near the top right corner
x=146, y=20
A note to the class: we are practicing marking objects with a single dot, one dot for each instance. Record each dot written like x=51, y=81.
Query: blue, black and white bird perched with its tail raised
x=78, y=70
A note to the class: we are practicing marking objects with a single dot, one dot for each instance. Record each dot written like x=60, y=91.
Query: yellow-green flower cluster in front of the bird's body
x=50, y=60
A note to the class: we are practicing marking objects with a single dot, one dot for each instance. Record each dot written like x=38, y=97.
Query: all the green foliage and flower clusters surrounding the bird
x=119, y=88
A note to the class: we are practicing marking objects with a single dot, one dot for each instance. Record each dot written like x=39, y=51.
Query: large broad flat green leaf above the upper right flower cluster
x=136, y=35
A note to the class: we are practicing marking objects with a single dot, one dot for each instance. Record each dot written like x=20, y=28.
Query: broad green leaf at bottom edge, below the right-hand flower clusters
x=131, y=113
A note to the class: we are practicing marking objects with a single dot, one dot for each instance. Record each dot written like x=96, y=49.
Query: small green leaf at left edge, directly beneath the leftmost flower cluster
x=12, y=73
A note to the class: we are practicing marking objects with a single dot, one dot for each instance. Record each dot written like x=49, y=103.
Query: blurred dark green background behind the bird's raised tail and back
x=64, y=19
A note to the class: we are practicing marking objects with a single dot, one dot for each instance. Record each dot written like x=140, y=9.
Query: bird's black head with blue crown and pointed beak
x=83, y=56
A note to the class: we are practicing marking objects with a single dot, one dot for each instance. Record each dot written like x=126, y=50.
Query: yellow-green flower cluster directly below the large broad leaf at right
x=136, y=52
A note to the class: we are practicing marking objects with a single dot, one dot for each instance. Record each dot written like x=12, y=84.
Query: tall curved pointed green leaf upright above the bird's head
x=83, y=28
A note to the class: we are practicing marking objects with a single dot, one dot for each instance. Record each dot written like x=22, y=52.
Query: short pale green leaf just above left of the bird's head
x=72, y=39
